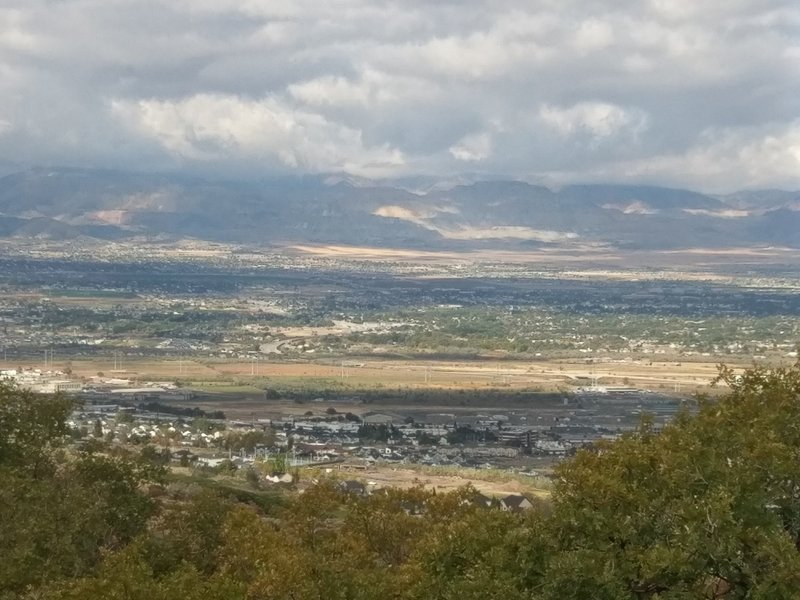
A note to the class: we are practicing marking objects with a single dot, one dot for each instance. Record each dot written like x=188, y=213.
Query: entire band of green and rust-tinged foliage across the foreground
x=708, y=508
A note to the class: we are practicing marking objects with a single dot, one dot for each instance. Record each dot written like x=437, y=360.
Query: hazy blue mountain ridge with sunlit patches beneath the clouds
x=66, y=203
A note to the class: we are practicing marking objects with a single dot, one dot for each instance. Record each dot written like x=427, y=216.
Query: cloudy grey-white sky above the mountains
x=685, y=93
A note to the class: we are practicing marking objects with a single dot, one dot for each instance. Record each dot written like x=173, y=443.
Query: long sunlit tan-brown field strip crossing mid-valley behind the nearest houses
x=551, y=375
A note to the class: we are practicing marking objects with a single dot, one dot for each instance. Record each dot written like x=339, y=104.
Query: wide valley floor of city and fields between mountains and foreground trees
x=399, y=368
